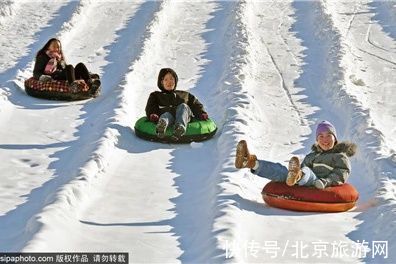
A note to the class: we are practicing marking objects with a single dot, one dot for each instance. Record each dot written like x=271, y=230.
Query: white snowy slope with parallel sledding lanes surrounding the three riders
x=75, y=178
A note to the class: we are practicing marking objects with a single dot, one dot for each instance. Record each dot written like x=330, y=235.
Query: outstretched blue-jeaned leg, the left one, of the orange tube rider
x=271, y=170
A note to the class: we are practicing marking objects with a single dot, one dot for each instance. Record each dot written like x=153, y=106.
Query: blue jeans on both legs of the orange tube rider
x=278, y=172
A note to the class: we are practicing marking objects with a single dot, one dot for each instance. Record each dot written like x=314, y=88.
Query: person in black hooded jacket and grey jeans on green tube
x=170, y=106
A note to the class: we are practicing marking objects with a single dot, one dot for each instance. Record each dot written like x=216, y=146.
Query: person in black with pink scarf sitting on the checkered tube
x=50, y=66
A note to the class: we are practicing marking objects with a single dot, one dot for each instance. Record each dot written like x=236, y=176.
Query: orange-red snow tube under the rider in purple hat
x=308, y=199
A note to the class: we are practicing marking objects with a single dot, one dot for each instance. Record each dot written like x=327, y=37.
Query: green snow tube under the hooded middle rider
x=197, y=130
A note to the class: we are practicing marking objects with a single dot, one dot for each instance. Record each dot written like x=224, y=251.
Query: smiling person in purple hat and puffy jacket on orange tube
x=327, y=165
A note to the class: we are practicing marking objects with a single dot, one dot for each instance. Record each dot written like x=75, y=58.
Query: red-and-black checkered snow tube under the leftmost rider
x=59, y=90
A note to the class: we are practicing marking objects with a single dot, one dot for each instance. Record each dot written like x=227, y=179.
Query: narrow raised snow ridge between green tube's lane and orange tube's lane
x=233, y=103
